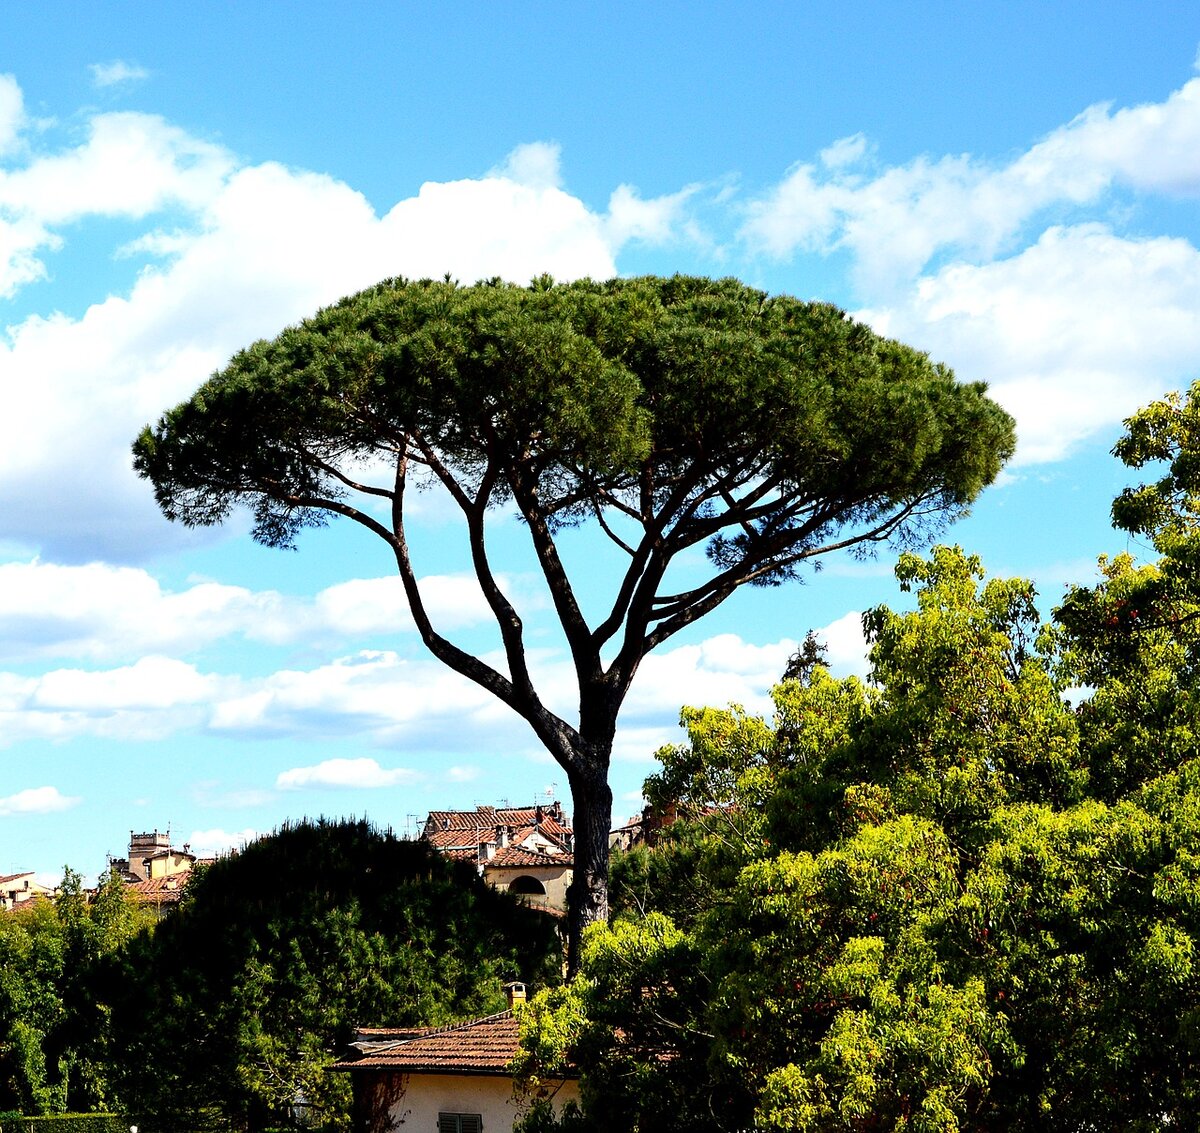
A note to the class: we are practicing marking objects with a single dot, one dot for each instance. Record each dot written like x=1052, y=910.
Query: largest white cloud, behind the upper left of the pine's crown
x=244, y=253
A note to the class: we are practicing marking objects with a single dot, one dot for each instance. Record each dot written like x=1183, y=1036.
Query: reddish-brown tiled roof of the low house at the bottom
x=481, y=1047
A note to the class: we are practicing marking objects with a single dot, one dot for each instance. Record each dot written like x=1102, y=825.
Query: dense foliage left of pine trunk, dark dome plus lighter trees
x=230, y=1012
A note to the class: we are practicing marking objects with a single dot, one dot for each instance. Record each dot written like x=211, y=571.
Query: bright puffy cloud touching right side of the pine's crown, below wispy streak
x=1073, y=334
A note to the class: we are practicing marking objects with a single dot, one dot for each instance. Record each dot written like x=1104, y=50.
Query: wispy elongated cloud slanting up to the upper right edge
x=896, y=220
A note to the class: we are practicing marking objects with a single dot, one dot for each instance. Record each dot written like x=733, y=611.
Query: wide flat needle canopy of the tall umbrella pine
x=584, y=393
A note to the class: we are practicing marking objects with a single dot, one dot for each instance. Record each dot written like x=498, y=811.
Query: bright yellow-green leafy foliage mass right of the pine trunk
x=963, y=896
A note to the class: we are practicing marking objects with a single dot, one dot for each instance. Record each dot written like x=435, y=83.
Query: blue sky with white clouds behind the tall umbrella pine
x=1011, y=187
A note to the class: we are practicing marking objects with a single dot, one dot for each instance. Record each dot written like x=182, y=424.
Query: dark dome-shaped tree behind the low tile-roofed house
x=242, y=999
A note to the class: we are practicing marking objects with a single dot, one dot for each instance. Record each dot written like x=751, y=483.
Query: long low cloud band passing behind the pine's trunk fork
x=377, y=698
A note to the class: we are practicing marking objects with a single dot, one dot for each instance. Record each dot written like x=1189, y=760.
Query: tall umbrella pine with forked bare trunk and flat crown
x=670, y=413
